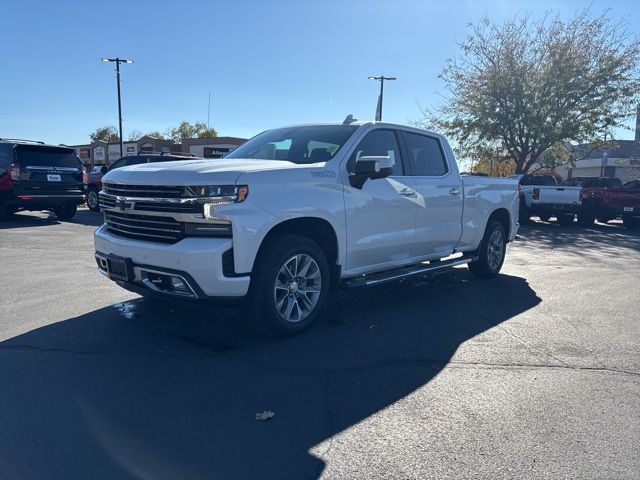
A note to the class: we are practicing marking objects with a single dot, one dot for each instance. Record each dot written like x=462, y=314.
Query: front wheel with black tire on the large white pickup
x=264, y=313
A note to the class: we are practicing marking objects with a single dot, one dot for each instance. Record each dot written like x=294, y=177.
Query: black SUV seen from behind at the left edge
x=35, y=176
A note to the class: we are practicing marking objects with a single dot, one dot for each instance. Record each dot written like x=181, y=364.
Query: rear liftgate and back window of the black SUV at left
x=47, y=170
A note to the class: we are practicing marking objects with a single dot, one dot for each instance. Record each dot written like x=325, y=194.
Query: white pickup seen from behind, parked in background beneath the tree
x=540, y=195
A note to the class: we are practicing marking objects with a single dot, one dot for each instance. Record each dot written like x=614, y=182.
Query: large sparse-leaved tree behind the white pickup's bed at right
x=526, y=86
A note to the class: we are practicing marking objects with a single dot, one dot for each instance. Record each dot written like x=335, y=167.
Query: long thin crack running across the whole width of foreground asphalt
x=433, y=363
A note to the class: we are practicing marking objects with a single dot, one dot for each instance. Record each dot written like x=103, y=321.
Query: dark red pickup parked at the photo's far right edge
x=604, y=199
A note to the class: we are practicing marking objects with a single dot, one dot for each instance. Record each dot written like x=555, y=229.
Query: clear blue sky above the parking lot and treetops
x=266, y=63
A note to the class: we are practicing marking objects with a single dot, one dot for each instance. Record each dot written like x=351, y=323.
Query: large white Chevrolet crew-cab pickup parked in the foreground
x=296, y=212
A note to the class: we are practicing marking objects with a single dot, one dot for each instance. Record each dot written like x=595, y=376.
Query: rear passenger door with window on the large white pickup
x=440, y=196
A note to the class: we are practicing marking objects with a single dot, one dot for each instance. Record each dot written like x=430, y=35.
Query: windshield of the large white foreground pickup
x=296, y=144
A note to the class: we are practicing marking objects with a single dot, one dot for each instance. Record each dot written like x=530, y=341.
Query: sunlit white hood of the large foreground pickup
x=194, y=172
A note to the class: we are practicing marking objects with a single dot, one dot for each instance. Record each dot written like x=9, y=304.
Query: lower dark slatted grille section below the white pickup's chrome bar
x=144, y=227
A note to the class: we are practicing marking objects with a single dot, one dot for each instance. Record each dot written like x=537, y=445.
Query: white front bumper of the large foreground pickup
x=198, y=261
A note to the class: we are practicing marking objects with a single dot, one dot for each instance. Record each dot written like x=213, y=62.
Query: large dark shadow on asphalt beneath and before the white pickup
x=146, y=390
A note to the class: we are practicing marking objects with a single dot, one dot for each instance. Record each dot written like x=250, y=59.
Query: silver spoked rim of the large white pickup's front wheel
x=297, y=288
